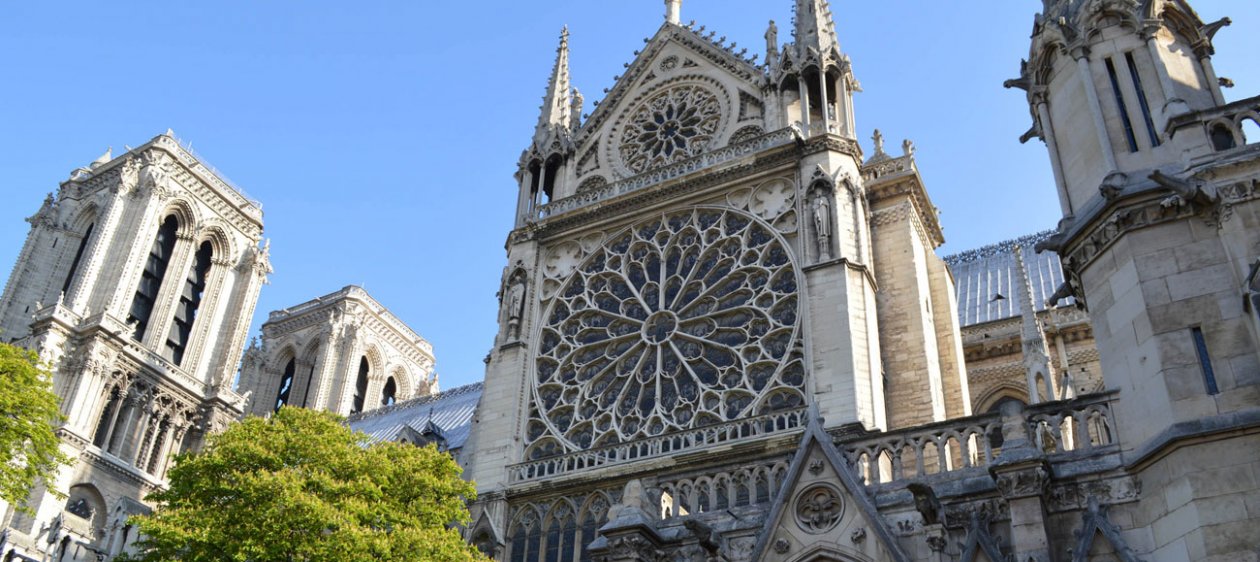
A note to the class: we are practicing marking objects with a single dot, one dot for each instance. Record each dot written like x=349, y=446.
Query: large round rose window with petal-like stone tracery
x=679, y=323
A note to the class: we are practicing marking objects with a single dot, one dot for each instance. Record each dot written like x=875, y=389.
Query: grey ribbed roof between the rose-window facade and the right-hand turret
x=981, y=275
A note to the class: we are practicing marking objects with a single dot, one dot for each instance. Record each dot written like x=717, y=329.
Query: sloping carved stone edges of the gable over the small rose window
x=711, y=51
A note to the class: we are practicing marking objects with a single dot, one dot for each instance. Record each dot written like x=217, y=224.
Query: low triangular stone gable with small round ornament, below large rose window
x=822, y=510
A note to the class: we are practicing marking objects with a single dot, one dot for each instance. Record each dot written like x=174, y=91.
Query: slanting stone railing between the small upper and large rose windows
x=770, y=140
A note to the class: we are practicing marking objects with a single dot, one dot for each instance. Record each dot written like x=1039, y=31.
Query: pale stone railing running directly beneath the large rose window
x=682, y=442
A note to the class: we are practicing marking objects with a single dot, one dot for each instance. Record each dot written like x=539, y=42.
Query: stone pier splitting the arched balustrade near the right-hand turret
x=1022, y=478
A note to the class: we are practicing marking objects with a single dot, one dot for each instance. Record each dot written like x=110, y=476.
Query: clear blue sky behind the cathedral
x=382, y=137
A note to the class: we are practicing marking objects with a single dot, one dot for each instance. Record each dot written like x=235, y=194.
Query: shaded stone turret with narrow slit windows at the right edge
x=1160, y=192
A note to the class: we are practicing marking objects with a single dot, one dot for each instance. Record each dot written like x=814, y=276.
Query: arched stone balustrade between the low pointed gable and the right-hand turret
x=1077, y=428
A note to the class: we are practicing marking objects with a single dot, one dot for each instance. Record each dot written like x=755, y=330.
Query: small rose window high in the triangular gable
x=677, y=124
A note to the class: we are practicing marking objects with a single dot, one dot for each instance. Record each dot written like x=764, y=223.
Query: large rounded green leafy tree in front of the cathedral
x=302, y=487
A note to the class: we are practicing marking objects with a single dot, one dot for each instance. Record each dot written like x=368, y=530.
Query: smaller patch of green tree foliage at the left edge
x=30, y=416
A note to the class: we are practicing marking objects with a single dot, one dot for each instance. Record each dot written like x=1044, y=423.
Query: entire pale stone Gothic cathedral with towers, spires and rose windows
x=725, y=330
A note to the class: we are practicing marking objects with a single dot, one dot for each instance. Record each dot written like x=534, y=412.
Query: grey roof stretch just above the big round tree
x=449, y=411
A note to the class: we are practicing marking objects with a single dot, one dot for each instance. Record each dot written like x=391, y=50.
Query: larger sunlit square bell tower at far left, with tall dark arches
x=137, y=285
